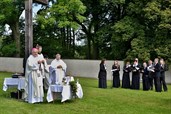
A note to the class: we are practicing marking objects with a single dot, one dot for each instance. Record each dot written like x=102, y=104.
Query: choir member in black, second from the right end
x=157, y=69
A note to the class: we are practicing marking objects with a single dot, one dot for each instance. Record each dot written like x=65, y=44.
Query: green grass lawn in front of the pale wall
x=95, y=101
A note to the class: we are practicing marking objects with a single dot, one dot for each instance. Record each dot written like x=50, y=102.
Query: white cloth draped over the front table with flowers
x=65, y=91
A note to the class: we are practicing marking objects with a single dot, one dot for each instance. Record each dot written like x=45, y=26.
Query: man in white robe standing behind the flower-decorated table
x=59, y=67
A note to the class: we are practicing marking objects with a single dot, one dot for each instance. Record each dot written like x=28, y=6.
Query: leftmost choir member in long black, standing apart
x=102, y=75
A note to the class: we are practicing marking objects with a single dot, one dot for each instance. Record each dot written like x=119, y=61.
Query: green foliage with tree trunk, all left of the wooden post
x=9, y=14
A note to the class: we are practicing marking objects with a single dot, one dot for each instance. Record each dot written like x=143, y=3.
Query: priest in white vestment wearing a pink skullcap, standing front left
x=33, y=79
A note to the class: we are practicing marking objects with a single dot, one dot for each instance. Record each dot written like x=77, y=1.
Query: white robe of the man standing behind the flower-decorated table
x=60, y=72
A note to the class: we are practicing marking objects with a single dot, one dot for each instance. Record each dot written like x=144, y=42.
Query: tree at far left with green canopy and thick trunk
x=9, y=14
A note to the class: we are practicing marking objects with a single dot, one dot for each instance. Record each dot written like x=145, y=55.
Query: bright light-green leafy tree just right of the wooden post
x=57, y=21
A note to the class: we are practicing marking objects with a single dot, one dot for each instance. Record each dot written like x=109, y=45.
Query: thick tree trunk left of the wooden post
x=16, y=35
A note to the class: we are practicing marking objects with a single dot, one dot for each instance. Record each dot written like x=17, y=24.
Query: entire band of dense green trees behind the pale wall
x=95, y=29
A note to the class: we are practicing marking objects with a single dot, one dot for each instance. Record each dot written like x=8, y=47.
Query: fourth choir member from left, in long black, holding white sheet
x=135, y=75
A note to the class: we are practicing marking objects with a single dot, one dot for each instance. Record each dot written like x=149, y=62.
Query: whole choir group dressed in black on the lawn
x=153, y=73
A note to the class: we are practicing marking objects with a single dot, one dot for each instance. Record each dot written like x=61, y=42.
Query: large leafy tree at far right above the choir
x=146, y=27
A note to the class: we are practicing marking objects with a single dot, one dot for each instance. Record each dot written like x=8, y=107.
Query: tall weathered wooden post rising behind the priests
x=28, y=28
